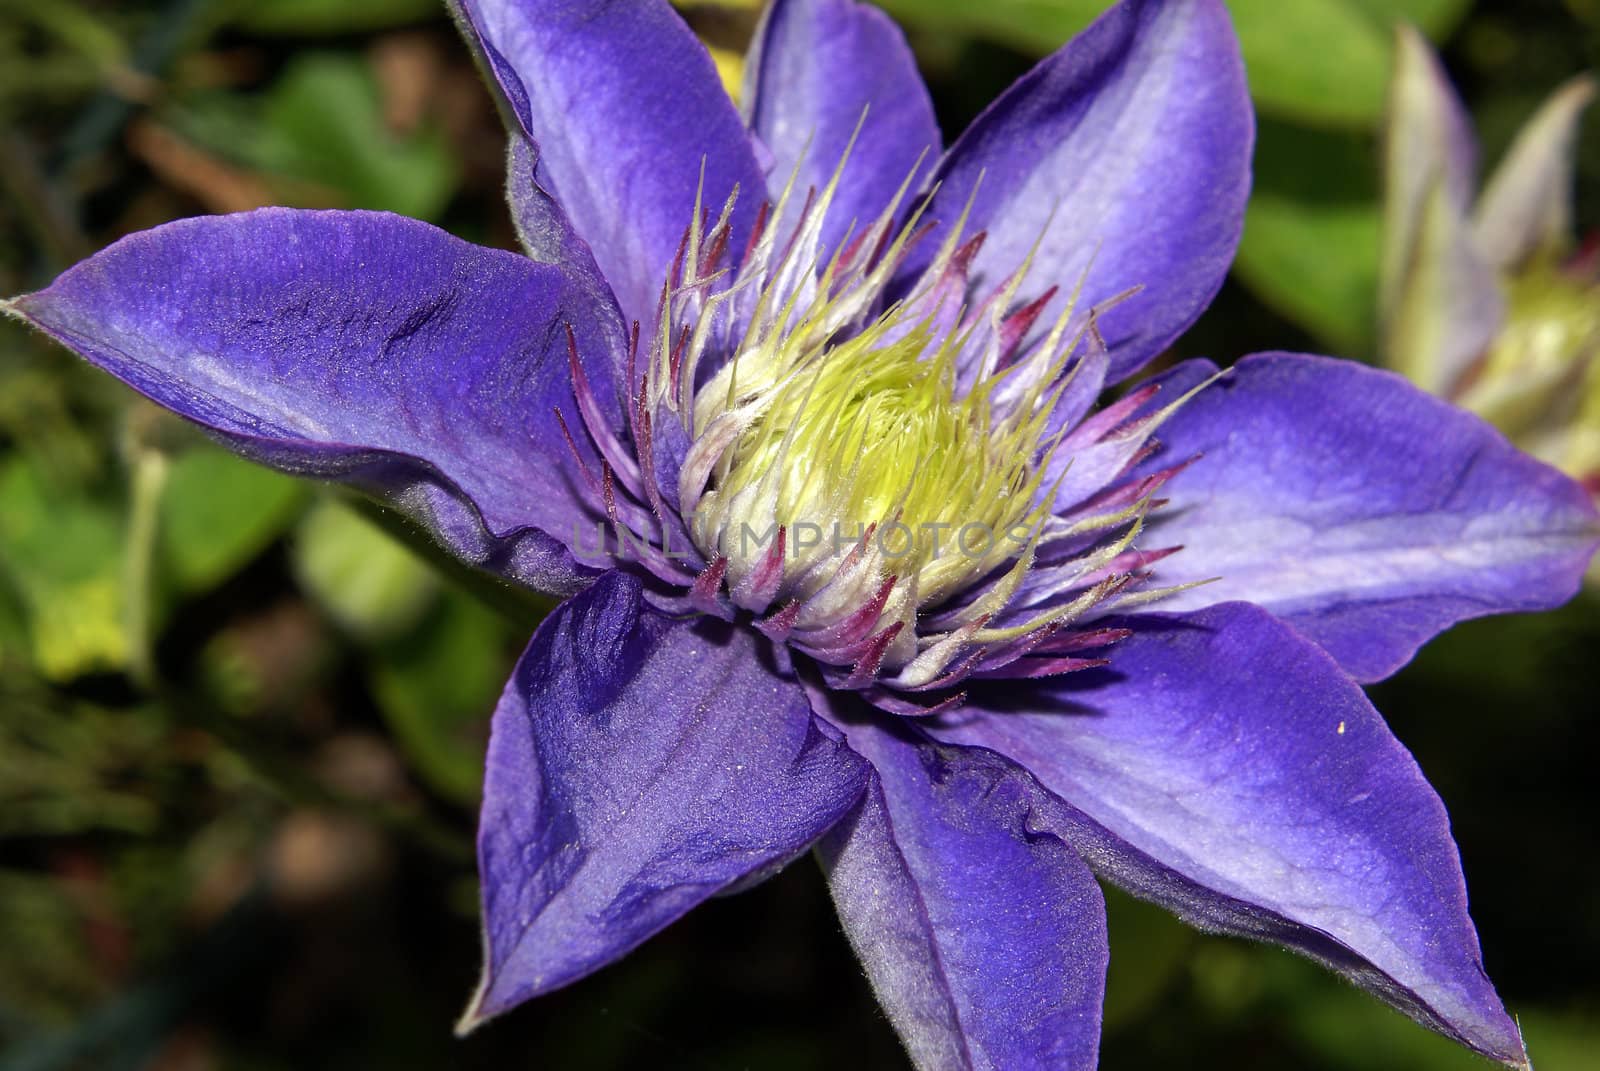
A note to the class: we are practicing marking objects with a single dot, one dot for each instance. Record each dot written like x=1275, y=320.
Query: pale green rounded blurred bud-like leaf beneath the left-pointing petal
x=364, y=579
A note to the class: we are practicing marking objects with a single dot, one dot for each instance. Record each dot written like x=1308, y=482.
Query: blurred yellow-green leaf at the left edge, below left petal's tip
x=63, y=553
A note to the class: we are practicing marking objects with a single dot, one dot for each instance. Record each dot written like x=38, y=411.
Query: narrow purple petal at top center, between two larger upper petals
x=815, y=71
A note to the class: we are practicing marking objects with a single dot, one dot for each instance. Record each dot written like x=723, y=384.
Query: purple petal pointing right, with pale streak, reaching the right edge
x=1361, y=510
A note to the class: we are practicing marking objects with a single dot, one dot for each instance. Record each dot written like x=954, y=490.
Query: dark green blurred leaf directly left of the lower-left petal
x=438, y=689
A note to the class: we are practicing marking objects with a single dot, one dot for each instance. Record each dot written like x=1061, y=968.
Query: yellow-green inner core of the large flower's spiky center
x=871, y=441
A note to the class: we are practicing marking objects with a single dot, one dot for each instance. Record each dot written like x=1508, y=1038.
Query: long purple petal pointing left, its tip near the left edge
x=362, y=348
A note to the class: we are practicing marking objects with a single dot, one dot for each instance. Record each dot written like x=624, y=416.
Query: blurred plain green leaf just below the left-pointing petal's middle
x=220, y=513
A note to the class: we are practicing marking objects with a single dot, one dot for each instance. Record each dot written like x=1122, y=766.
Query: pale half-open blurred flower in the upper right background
x=1487, y=299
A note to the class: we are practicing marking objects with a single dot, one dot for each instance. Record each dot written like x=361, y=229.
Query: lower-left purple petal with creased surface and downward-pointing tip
x=638, y=766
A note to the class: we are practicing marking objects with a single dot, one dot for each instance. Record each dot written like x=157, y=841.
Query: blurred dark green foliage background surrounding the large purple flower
x=242, y=723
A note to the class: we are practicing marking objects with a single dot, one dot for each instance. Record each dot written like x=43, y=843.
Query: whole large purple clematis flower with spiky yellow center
x=799, y=409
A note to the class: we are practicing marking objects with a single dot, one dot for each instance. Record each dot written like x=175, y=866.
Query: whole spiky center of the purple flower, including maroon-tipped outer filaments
x=911, y=491
